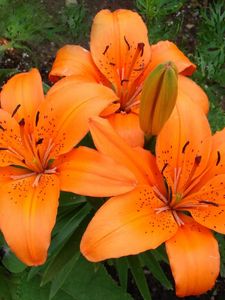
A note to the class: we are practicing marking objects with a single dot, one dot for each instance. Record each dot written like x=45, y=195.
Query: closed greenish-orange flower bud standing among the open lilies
x=158, y=98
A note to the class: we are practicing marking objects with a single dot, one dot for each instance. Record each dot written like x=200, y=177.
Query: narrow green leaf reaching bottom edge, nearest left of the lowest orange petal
x=139, y=276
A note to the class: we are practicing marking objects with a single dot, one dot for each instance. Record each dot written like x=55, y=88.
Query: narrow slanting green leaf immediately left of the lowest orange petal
x=154, y=267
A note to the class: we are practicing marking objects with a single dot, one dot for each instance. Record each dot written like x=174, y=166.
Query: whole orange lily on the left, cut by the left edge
x=37, y=134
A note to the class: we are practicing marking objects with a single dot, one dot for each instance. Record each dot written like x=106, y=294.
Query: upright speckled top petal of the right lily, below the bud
x=184, y=152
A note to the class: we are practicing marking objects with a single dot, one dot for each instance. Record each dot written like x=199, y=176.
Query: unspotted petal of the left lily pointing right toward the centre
x=87, y=172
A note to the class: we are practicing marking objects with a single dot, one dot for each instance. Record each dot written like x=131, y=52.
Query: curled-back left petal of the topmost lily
x=74, y=60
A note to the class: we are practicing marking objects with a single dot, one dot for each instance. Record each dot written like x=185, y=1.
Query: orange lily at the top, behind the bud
x=121, y=58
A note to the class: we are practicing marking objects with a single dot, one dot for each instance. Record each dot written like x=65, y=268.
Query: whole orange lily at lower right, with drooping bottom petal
x=178, y=199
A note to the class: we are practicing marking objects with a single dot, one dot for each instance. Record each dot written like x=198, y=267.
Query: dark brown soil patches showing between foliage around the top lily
x=42, y=56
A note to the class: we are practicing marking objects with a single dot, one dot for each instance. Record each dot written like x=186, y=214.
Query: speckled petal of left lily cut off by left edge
x=12, y=151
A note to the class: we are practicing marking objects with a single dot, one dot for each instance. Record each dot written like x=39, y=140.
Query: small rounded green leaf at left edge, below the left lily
x=12, y=263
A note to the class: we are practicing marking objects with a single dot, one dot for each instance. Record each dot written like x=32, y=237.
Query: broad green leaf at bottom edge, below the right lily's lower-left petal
x=85, y=282
